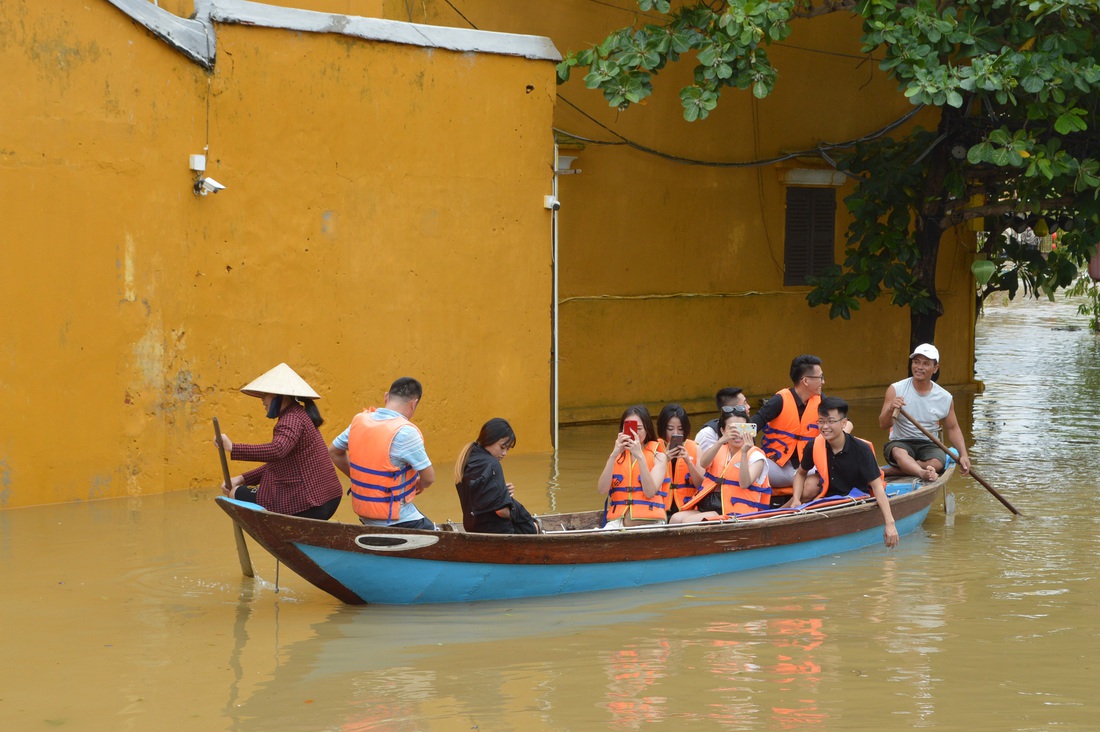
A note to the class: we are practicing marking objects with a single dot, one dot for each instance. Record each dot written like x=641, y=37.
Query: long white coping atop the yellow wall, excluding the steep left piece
x=387, y=31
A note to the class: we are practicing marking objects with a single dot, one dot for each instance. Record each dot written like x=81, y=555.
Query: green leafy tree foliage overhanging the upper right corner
x=1016, y=84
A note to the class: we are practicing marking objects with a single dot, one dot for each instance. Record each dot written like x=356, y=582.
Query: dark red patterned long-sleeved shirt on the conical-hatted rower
x=298, y=472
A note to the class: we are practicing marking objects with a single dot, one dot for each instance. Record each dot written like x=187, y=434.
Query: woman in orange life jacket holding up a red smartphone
x=635, y=474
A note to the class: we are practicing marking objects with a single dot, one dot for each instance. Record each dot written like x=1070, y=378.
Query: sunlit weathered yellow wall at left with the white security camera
x=383, y=217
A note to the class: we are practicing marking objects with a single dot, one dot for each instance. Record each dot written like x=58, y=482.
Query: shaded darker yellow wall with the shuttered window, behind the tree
x=639, y=230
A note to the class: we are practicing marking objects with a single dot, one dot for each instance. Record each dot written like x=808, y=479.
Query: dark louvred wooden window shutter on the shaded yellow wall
x=811, y=234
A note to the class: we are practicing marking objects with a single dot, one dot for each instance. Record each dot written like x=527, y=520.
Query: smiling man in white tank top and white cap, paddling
x=930, y=405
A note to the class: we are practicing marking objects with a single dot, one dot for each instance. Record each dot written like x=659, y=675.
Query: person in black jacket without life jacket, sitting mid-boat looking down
x=489, y=506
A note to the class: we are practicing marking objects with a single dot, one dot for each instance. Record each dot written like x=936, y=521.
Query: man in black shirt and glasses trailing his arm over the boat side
x=844, y=464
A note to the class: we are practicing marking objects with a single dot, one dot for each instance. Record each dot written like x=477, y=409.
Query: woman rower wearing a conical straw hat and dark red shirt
x=298, y=476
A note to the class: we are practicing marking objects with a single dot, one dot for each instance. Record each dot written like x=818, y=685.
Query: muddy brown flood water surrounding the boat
x=133, y=615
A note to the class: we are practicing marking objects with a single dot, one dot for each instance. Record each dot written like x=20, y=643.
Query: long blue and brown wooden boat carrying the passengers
x=362, y=564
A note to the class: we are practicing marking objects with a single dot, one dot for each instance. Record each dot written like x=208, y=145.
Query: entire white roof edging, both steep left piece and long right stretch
x=195, y=39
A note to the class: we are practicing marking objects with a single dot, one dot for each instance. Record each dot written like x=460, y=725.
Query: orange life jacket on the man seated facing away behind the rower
x=379, y=488
